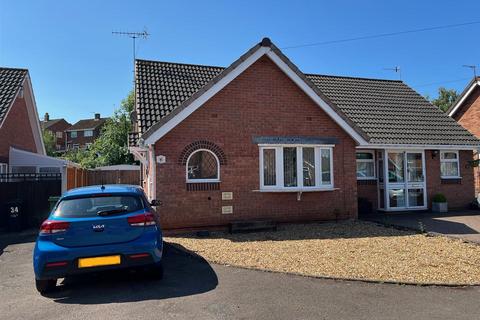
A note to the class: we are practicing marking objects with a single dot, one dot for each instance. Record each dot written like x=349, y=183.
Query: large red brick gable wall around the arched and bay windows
x=262, y=101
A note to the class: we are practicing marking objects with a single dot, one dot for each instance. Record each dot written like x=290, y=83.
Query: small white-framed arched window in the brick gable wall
x=203, y=166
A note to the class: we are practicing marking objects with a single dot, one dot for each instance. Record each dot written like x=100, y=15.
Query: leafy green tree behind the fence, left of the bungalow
x=111, y=147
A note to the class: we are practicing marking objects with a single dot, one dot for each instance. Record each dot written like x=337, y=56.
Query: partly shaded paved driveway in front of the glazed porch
x=459, y=224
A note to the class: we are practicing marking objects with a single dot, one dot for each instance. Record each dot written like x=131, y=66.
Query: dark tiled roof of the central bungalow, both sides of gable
x=385, y=111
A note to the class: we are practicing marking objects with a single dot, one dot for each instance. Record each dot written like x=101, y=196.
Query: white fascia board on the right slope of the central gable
x=315, y=97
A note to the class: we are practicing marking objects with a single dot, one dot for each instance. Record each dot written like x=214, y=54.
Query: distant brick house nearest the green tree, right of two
x=84, y=132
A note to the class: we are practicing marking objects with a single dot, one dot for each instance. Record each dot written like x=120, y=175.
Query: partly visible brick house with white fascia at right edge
x=466, y=110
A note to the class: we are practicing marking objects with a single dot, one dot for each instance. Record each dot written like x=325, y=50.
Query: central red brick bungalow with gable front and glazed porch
x=262, y=140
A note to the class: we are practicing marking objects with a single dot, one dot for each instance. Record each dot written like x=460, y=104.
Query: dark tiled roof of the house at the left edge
x=11, y=81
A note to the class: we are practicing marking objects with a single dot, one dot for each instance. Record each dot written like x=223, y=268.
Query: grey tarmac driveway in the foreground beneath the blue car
x=194, y=289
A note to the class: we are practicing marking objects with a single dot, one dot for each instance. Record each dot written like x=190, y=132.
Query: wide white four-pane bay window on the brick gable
x=296, y=167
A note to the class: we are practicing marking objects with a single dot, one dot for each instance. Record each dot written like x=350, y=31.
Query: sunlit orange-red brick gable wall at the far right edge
x=469, y=114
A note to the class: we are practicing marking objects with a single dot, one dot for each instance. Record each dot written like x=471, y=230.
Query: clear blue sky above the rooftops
x=78, y=67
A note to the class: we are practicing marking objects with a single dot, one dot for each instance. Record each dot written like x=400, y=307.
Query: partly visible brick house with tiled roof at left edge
x=19, y=125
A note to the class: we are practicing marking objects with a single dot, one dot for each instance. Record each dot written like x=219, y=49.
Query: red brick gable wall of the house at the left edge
x=16, y=130
